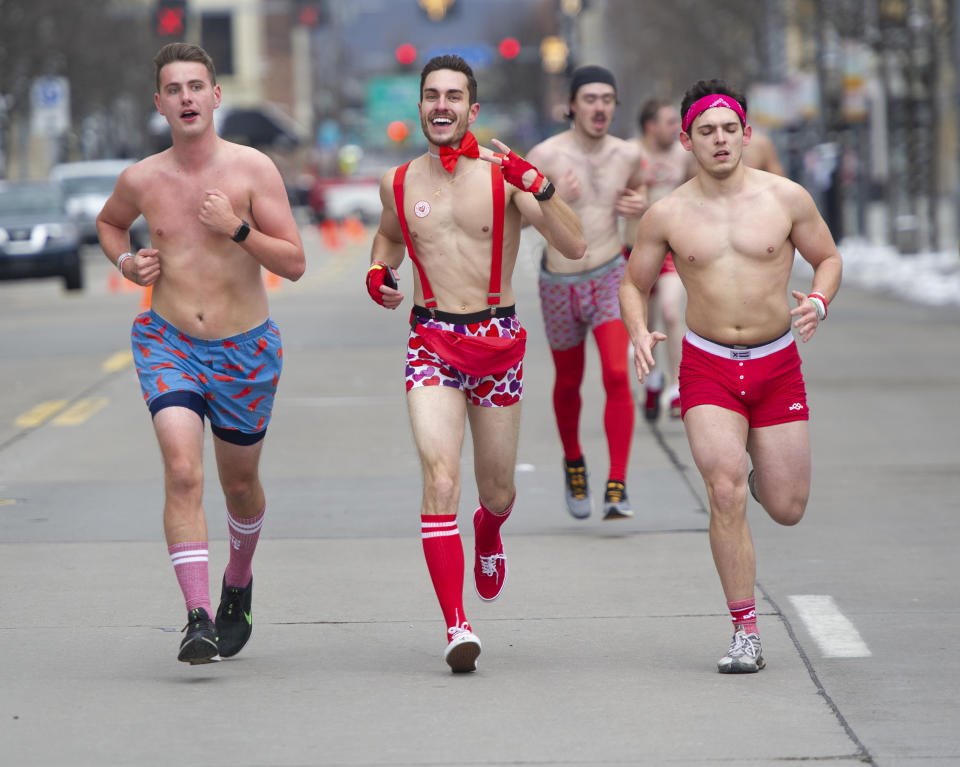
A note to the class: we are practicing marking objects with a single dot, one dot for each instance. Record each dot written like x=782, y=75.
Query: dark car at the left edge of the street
x=37, y=237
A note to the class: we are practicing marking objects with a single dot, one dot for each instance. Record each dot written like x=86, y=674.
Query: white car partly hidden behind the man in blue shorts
x=86, y=187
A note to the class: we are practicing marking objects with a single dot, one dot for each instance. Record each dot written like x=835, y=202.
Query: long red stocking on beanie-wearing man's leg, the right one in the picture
x=613, y=342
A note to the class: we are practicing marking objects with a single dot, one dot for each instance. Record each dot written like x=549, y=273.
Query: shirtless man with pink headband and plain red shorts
x=733, y=231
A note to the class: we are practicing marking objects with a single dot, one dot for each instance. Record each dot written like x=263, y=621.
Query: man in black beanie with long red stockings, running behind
x=600, y=177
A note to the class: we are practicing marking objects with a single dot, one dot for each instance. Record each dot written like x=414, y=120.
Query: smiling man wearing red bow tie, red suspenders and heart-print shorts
x=457, y=211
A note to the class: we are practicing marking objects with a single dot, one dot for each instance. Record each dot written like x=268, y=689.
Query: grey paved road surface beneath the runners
x=601, y=650
